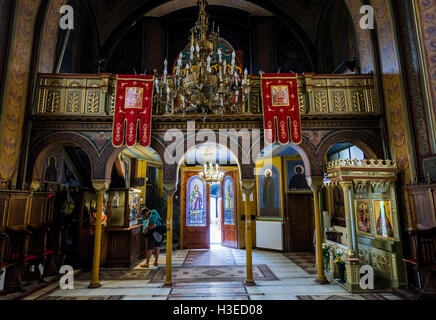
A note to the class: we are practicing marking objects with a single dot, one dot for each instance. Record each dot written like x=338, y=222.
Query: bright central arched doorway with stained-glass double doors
x=209, y=210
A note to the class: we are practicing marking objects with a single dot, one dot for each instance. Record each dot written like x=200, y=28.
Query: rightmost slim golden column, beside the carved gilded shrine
x=316, y=185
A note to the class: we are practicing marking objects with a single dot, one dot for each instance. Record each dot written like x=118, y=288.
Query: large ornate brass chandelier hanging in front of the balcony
x=203, y=82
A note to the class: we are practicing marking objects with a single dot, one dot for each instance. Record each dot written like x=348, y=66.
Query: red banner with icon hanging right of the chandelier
x=281, y=108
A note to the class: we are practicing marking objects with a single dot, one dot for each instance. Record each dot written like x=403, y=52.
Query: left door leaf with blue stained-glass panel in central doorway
x=195, y=212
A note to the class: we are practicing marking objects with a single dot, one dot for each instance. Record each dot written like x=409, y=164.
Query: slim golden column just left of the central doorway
x=170, y=189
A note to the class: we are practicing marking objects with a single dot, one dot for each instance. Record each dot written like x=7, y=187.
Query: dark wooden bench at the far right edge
x=423, y=260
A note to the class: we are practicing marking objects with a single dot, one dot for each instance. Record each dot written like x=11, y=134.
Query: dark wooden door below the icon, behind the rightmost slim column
x=301, y=224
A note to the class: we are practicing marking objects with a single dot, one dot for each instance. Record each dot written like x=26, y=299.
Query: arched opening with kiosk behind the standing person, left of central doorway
x=136, y=183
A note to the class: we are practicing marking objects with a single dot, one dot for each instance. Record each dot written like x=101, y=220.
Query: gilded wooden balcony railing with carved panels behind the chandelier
x=94, y=95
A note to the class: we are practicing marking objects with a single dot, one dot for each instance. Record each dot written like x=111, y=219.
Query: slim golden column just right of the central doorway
x=248, y=187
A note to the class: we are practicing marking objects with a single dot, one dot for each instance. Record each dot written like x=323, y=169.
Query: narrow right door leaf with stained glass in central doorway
x=229, y=225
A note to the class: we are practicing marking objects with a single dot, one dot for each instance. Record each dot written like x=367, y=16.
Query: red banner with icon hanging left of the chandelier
x=134, y=96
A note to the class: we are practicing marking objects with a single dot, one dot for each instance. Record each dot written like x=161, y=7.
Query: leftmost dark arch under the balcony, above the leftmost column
x=41, y=150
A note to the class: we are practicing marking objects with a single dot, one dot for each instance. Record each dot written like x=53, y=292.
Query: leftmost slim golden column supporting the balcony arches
x=100, y=187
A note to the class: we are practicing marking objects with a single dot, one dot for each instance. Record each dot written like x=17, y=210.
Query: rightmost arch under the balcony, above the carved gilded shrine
x=368, y=144
